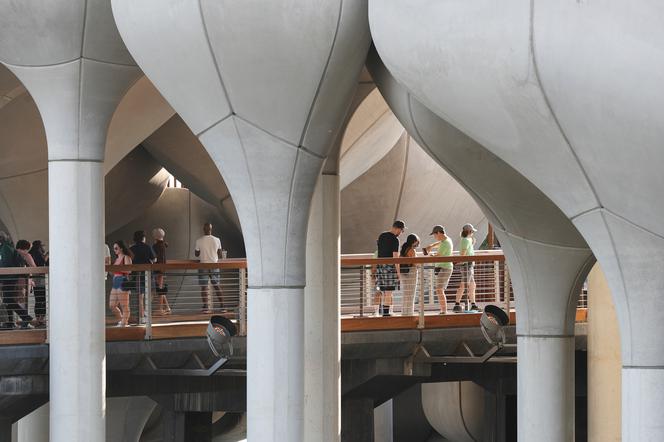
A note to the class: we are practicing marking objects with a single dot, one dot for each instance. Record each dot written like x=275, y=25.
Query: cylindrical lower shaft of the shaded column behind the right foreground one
x=545, y=388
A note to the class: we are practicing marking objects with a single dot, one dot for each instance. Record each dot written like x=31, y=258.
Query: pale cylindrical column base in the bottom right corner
x=642, y=404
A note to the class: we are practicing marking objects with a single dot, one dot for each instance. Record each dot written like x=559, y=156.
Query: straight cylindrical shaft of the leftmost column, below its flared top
x=76, y=327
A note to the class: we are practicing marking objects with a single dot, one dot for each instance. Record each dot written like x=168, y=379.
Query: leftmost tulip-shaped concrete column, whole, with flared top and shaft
x=70, y=58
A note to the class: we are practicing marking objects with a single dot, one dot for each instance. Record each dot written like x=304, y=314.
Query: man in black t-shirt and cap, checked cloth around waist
x=387, y=275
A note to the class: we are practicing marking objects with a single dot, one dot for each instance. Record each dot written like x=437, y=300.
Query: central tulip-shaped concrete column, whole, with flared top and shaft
x=265, y=87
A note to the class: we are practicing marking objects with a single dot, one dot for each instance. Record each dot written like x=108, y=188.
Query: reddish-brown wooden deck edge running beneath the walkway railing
x=193, y=326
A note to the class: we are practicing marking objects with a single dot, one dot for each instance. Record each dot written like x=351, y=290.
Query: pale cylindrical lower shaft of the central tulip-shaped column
x=275, y=364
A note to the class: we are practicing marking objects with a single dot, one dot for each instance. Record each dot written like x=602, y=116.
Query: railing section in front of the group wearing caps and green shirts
x=427, y=287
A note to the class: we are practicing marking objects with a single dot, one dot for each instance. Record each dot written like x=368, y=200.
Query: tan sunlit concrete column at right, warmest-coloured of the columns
x=604, y=363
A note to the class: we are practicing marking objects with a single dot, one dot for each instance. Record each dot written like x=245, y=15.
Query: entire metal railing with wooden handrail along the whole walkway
x=190, y=292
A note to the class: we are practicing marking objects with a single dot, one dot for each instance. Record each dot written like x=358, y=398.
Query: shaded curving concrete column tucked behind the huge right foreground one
x=548, y=260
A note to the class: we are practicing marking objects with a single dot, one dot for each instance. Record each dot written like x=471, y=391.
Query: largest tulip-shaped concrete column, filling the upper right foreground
x=569, y=94
